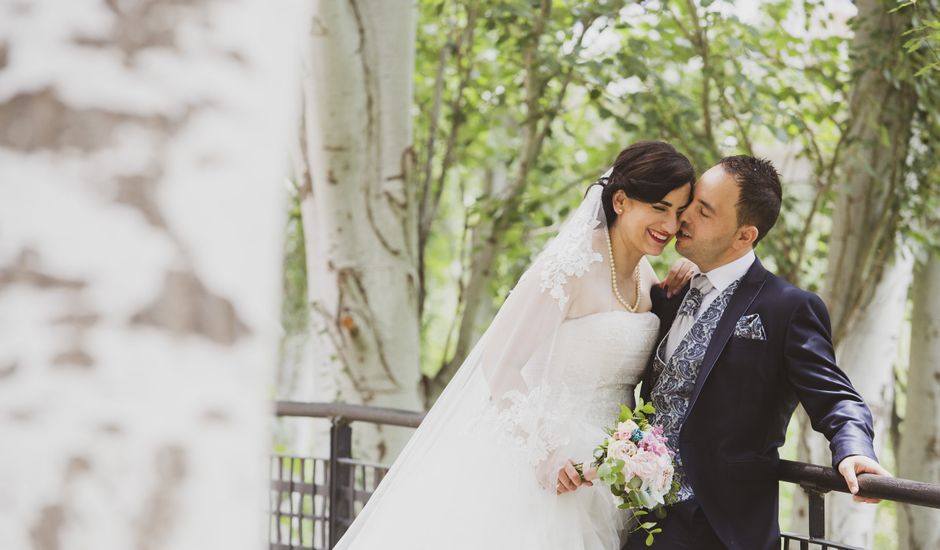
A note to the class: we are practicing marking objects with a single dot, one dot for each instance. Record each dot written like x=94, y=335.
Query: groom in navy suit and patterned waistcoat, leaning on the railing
x=738, y=349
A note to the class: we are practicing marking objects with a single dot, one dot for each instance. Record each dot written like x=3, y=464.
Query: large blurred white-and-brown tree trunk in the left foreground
x=139, y=268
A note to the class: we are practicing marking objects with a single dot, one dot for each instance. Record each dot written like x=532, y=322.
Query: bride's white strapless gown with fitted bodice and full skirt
x=478, y=490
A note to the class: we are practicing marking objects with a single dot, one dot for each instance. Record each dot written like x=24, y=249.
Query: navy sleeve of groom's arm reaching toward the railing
x=834, y=407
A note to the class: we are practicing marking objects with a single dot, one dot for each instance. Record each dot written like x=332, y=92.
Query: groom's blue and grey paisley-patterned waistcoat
x=676, y=378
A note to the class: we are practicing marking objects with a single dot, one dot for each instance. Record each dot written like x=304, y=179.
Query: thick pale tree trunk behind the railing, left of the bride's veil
x=359, y=210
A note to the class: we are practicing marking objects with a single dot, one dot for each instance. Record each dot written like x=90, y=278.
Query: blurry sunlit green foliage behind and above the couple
x=692, y=73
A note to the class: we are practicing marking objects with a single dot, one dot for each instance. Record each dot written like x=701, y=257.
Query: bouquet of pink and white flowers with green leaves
x=634, y=462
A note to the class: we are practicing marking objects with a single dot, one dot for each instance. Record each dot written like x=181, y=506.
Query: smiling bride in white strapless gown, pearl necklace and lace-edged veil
x=569, y=345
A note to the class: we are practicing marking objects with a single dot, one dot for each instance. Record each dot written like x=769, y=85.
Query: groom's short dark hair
x=760, y=193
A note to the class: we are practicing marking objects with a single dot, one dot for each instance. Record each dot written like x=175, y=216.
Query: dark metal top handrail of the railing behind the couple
x=812, y=476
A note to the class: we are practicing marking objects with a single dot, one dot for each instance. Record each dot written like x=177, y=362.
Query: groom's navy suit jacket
x=743, y=399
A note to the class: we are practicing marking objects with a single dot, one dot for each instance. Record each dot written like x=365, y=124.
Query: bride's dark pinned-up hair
x=646, y=171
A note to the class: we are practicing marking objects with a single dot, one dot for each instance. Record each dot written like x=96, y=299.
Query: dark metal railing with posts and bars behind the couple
x=314, y=500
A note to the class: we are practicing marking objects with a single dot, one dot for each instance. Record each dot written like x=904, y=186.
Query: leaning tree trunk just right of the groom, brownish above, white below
x=862, y=254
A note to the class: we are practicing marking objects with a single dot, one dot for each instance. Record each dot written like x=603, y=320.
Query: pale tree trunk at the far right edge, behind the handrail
x=919, y=527
